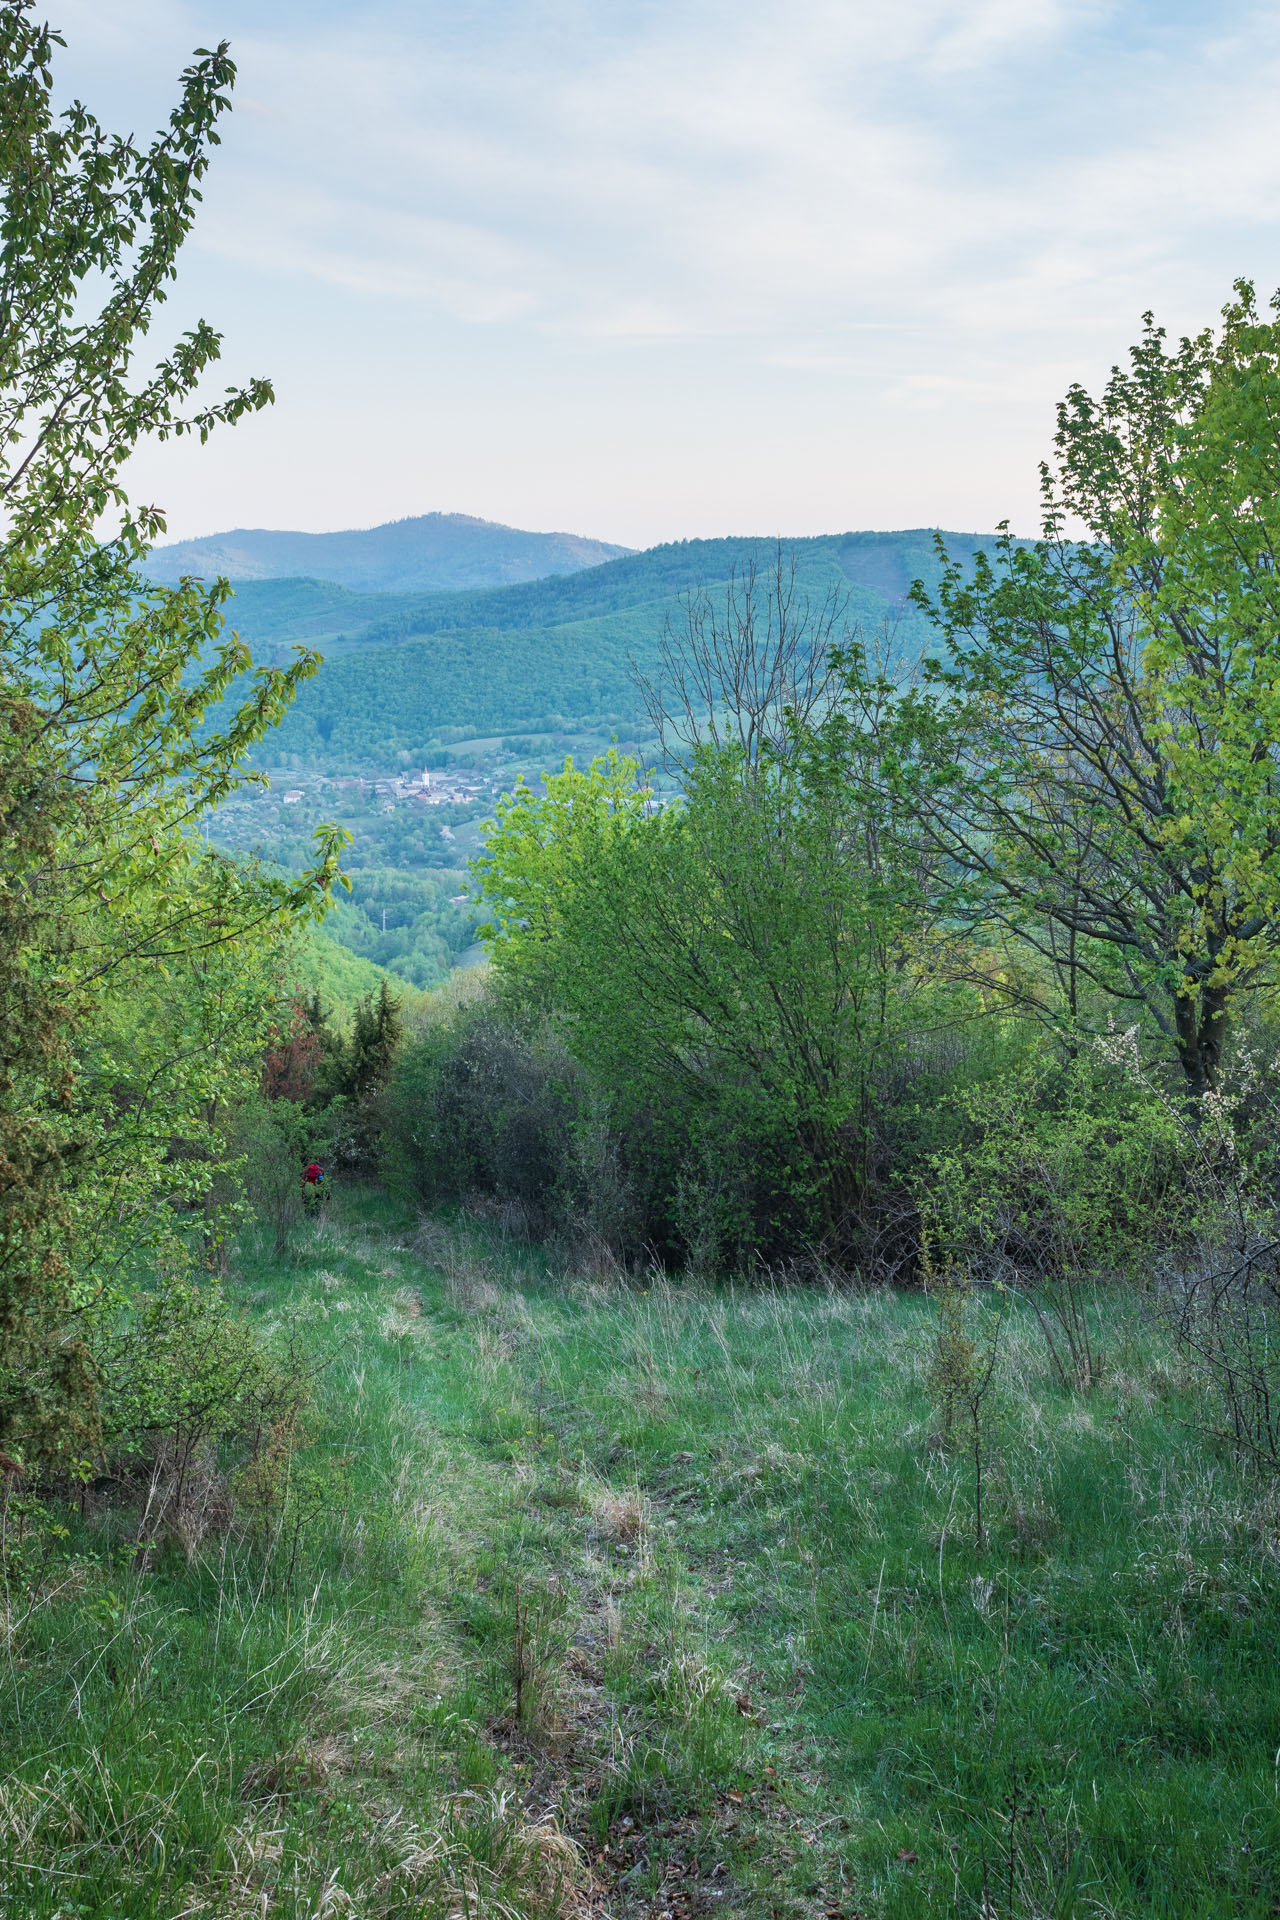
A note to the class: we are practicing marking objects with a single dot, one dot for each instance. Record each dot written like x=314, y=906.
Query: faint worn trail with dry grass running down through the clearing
x=600, y=1639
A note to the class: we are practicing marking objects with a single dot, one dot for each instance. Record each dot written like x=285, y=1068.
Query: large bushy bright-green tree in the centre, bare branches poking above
x=734, y=971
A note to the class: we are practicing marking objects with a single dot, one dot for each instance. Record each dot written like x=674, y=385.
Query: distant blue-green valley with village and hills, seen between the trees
x=485, y=688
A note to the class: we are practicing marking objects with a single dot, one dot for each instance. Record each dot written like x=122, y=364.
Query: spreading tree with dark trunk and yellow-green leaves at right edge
x=1101, y=748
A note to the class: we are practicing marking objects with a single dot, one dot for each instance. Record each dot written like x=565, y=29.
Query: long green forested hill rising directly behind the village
x=402, y=667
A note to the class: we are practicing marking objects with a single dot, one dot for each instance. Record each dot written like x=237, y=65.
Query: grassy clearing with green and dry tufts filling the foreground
x=765, y=1666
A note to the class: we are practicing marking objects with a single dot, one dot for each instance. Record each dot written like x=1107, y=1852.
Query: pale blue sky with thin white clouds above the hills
x=655, y=270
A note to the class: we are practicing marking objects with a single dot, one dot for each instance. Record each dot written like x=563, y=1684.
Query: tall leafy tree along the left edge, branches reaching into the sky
x=108, y=690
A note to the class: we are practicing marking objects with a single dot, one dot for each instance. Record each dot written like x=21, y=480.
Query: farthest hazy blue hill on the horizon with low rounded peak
x=429, y=554
